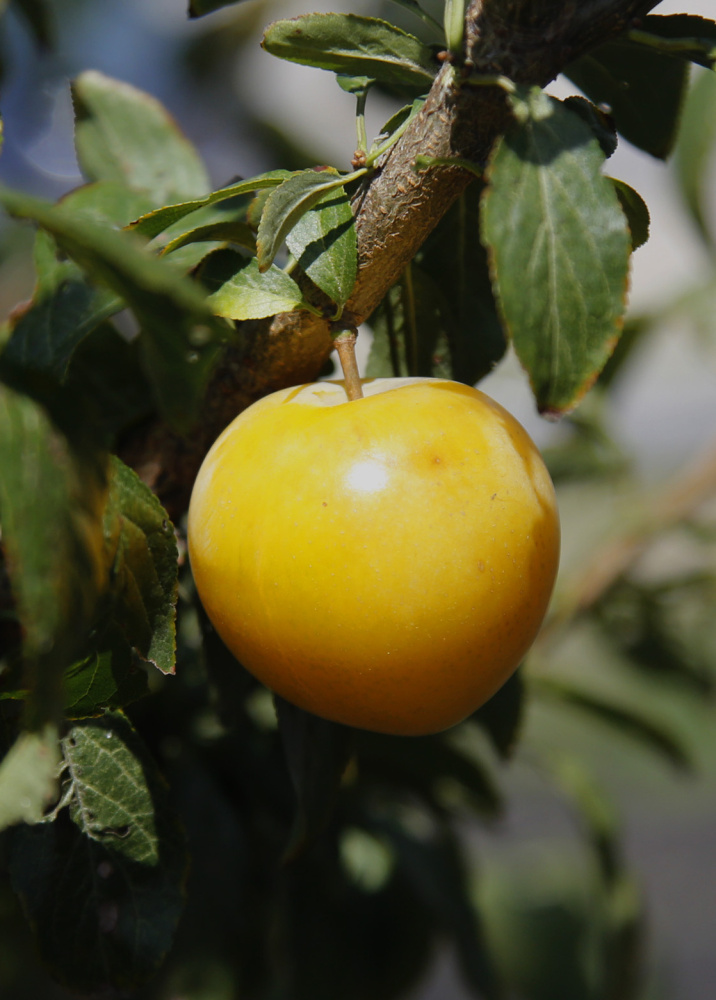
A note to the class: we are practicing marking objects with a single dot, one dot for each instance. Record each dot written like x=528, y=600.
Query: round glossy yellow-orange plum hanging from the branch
x=384, y=563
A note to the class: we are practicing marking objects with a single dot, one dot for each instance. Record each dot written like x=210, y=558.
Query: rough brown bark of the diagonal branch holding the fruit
x=529, y=41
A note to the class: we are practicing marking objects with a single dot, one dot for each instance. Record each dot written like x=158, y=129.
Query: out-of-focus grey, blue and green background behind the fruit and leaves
x=560, y=843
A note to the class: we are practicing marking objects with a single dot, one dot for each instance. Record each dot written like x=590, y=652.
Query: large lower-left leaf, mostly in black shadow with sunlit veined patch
x=113, y=864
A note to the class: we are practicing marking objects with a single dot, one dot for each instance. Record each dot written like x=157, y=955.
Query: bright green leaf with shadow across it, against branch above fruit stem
x=324, y=243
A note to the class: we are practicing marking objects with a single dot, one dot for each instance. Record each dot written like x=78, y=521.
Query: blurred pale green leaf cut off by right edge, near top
x=697, y=138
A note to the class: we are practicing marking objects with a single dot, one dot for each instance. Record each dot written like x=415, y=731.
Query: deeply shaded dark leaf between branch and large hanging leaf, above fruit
x=457, y=262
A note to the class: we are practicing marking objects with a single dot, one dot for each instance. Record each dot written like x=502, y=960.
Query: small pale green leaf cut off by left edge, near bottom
x=29, y=777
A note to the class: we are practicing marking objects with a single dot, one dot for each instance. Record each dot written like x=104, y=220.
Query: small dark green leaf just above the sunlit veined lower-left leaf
x=109, y=677
